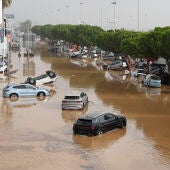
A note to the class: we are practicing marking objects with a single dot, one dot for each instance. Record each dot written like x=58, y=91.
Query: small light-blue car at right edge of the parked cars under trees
x=152, y=80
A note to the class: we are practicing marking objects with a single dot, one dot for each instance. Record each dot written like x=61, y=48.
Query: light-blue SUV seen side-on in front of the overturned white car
x=24, y=90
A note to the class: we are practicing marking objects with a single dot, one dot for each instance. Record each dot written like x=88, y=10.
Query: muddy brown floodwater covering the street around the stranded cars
x=37, y=135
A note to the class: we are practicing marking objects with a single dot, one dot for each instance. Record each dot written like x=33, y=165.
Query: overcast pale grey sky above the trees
x=152, y=13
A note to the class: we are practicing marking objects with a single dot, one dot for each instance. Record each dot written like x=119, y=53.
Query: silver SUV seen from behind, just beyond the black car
x=75, y=100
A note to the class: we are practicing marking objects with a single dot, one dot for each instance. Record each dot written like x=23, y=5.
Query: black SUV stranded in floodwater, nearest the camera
x=94, y=124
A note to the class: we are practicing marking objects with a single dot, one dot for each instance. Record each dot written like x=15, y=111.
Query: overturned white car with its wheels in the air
x=48, y=77
